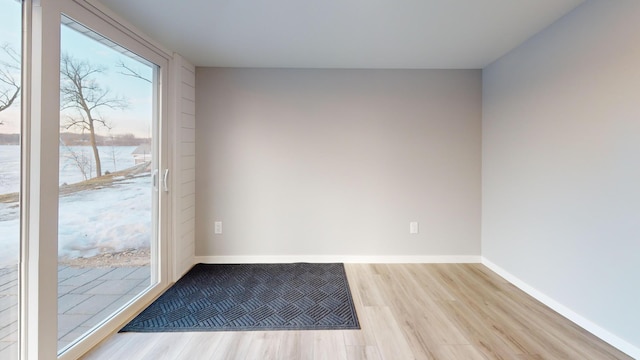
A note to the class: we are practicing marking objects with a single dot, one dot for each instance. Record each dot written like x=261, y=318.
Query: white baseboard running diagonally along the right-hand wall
x=578, y=319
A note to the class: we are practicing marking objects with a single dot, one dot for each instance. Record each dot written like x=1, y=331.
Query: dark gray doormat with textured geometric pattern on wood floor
x=248, y=297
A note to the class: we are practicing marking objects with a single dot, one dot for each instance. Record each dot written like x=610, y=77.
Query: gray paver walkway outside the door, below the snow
x=86, y=296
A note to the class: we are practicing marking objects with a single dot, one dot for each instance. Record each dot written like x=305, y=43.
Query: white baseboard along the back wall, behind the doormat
x=355, y=259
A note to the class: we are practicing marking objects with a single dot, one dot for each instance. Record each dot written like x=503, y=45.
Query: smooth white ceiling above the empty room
x=367, y=34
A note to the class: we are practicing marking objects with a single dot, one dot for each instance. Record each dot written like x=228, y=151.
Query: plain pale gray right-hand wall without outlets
x=561, y=166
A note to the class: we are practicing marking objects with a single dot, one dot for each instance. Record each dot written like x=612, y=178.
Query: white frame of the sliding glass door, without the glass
x=41, y=110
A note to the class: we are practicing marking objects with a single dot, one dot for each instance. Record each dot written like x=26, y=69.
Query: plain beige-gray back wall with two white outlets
x=337, y=162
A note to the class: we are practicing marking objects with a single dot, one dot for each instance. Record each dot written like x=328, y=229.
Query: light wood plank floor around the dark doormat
x=434, y=311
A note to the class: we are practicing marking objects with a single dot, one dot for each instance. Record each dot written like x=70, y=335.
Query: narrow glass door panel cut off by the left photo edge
x=10, y=126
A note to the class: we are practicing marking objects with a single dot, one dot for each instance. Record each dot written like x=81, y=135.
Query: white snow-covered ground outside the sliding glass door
x=108, y=219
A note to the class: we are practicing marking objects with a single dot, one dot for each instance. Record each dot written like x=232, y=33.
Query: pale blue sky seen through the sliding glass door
x=136, y=119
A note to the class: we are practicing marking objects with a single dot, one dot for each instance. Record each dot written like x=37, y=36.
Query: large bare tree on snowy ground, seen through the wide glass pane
x=80, y=91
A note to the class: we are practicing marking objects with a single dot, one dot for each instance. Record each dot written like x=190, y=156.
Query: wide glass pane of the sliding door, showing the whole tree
x=107, y=238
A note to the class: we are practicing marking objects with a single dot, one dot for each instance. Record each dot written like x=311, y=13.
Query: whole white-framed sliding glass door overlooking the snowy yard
x=102, y=130
